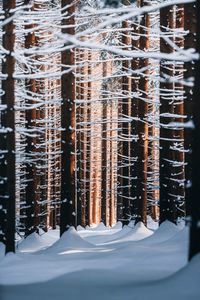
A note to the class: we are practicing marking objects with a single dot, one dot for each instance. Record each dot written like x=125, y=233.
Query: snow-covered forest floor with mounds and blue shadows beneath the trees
x=102, y=263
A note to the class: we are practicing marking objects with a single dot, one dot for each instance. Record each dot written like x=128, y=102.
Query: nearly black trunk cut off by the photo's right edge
x=195, y=192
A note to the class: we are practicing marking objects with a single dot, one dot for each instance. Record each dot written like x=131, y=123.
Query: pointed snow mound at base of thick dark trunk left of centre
x=69, y=240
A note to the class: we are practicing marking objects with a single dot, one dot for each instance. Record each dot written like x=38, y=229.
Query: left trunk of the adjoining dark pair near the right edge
x=167, y=203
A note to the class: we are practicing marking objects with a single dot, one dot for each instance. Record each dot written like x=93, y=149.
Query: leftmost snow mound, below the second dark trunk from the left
x=32, y=243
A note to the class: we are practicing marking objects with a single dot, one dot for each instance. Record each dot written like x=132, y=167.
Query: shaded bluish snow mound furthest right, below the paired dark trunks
x=165, y=232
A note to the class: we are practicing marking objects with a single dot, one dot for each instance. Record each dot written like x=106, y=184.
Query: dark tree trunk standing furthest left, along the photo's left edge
x=7, y=134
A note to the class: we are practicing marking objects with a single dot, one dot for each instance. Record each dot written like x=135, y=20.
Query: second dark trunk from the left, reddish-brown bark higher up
x=32, y=178
